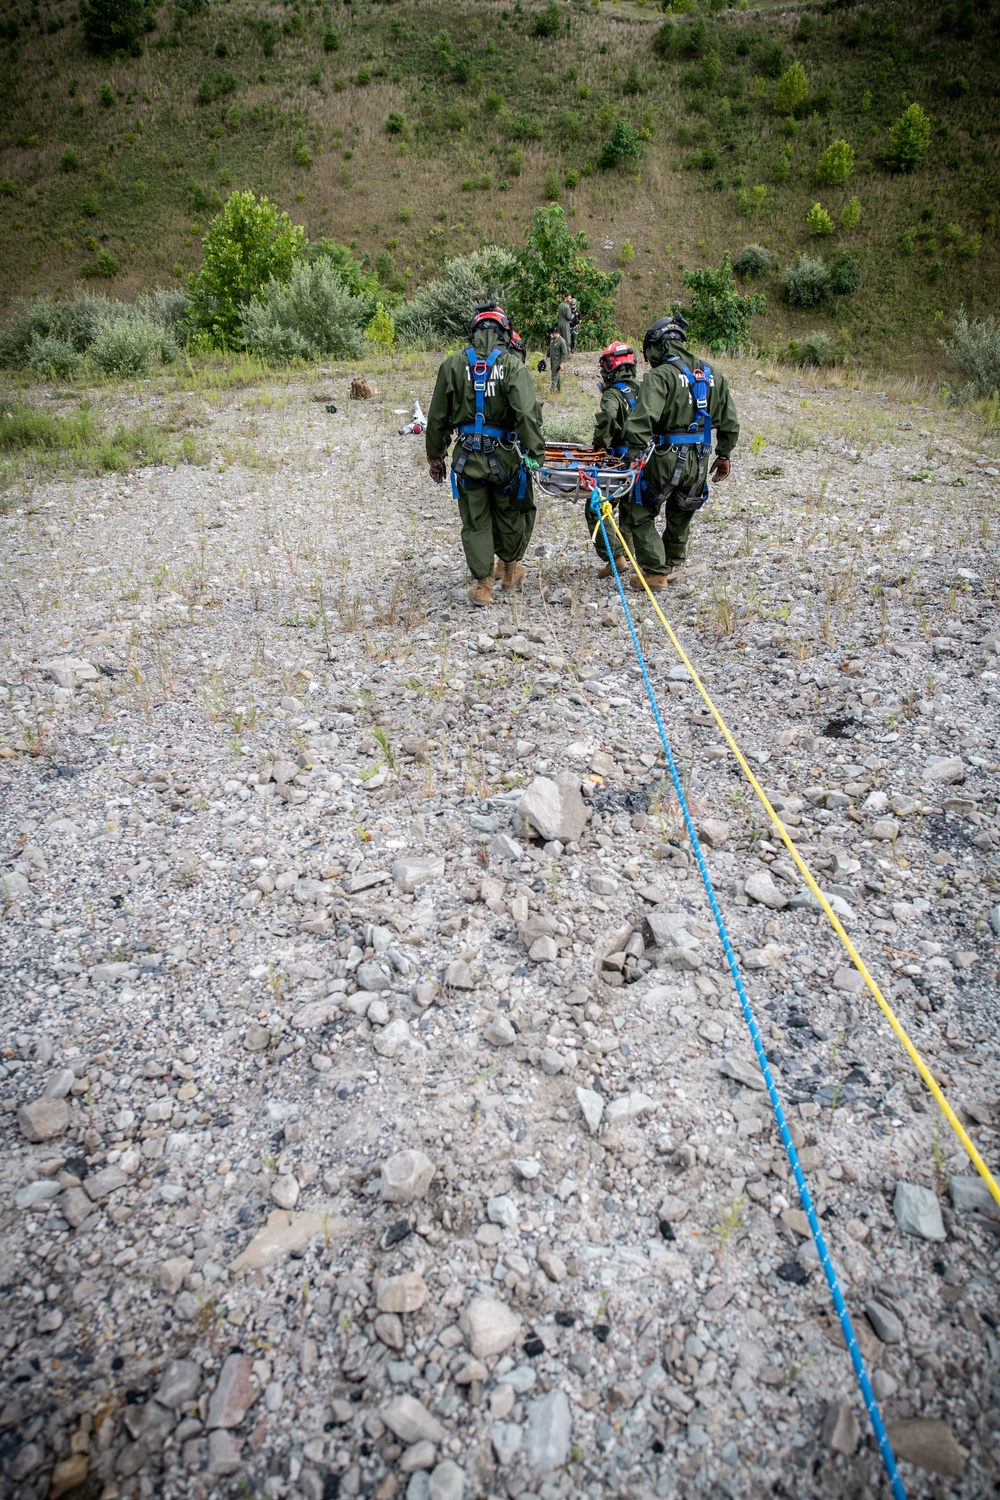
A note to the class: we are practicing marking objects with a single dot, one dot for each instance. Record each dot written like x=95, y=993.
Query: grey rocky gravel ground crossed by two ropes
x=379, y=1117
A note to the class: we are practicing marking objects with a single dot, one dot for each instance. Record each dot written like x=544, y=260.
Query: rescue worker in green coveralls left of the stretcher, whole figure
x=487, y=397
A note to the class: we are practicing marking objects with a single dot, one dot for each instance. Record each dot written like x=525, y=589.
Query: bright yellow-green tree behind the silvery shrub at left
x=247, y=247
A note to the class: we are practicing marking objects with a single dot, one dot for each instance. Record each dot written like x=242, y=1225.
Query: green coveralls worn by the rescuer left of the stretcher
x=496, y=524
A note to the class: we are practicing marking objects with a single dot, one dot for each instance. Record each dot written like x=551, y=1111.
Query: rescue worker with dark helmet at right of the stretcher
x=683, y=404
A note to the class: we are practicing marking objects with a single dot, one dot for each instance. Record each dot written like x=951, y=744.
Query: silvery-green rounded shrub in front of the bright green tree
x=310, y=316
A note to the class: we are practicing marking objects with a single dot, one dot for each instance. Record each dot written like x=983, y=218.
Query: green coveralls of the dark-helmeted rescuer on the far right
x=665, y=406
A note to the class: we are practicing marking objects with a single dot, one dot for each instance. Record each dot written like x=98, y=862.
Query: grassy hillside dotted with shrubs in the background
x=416, y=131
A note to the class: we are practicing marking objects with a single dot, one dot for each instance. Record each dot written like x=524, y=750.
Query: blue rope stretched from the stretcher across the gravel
x=861, y=1375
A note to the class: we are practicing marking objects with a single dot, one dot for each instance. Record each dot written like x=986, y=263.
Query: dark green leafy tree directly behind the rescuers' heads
x=552, y=263
